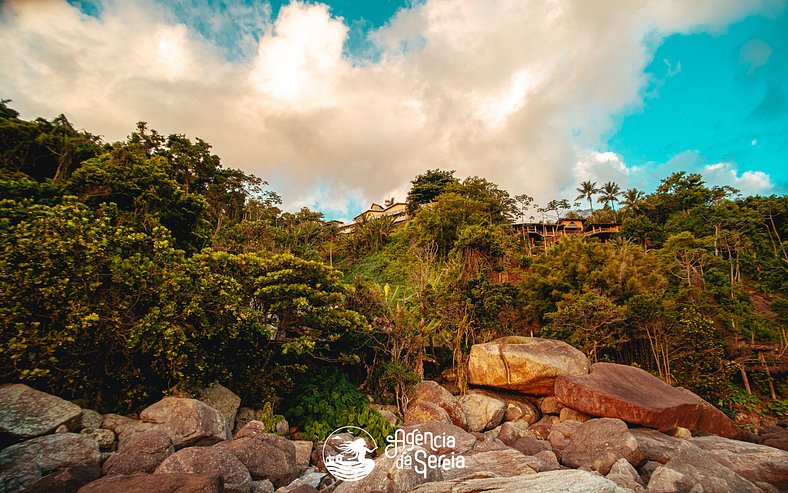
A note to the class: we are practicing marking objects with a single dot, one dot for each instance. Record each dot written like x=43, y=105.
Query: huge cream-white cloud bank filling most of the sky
x=518, y=91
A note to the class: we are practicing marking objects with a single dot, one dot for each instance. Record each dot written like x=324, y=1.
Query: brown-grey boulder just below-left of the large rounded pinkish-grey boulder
x=141, y=454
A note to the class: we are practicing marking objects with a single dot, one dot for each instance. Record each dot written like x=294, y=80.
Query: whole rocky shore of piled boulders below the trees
x=538, y=418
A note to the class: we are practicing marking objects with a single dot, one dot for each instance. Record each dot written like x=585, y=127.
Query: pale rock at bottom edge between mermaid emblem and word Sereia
x=387, y=477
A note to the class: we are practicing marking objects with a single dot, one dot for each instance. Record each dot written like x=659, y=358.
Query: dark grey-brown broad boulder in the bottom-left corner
x=25, y=463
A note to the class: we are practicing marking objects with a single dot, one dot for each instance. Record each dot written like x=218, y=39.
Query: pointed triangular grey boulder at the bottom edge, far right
x=690, y=467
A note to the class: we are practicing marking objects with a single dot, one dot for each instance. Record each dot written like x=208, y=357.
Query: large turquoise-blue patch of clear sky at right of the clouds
x=728, y=100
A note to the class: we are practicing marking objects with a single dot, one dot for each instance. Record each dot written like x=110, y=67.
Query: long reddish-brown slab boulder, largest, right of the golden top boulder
x=635, y=396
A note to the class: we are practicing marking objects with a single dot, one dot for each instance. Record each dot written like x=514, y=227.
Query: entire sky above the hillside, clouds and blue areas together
x=341, y=103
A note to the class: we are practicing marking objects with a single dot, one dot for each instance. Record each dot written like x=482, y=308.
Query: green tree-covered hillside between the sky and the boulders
x=129, y=267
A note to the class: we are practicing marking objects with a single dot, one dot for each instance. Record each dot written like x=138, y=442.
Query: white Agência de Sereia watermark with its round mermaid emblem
x=345, y=452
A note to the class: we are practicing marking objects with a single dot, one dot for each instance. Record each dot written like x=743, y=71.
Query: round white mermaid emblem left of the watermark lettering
x=345, y=453
